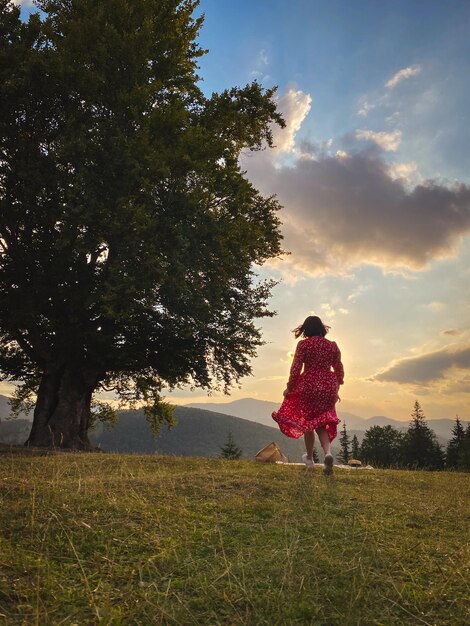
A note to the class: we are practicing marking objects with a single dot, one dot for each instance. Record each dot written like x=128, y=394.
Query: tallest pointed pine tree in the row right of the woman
x=421, y=449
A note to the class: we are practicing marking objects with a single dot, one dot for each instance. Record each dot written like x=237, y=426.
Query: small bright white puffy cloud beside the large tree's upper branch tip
x=294, y=105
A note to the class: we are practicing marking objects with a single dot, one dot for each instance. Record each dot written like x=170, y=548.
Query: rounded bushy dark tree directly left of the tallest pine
x=382, y=446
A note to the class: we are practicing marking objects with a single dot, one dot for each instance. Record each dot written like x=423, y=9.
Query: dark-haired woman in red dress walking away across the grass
x=310, y=396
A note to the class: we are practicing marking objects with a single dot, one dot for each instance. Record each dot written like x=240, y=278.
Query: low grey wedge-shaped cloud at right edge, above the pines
x=428, y=367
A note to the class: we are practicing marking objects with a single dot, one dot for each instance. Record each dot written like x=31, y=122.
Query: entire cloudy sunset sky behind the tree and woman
x=373, y=173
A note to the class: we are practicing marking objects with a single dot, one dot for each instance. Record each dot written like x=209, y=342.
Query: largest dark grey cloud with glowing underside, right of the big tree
x=349, y=210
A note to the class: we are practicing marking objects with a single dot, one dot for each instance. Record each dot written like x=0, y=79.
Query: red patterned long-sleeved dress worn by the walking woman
x=314, y=392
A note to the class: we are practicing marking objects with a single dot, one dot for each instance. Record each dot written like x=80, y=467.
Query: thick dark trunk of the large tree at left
x=62, y=412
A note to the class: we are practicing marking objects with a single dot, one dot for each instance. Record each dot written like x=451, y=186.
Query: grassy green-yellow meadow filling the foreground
x=122, y=539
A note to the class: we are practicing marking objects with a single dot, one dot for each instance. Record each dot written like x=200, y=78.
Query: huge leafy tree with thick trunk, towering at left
x=129, y=236
